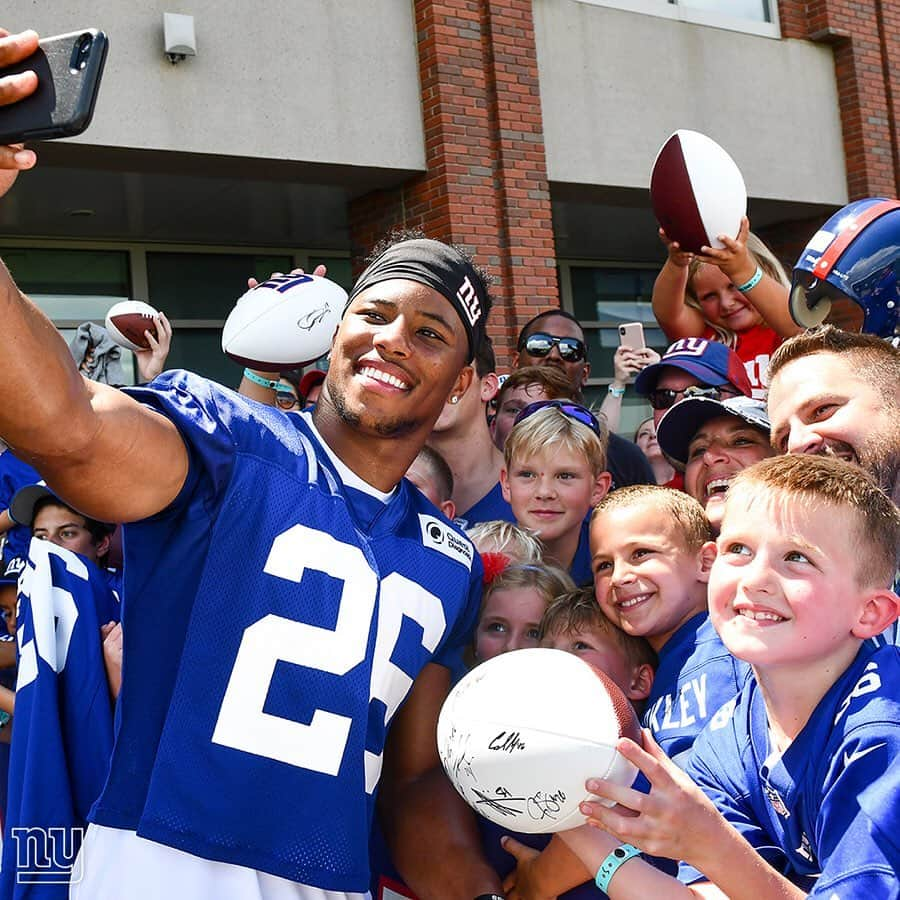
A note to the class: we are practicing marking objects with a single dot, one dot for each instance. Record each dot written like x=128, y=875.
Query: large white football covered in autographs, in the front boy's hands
x=522, y=732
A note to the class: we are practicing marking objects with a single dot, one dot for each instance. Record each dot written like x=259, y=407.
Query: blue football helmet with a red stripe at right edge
x=849, y=271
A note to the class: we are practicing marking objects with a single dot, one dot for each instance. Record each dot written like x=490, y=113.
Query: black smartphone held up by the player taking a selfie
x=68, y=68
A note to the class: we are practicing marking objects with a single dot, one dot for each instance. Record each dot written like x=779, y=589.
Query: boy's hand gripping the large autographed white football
x=675, y=820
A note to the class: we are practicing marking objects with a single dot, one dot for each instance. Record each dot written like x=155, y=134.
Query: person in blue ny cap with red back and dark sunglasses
x=691, y=367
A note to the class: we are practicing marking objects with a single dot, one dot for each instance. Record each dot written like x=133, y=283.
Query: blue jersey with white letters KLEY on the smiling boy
x=696, y=676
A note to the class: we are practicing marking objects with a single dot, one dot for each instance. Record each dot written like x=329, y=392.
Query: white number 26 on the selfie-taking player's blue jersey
x=320, y=745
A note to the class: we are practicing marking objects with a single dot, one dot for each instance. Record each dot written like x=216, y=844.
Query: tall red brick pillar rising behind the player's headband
x=485, y=184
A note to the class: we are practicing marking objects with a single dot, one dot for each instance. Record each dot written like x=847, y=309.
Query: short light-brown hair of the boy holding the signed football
x=831, y=481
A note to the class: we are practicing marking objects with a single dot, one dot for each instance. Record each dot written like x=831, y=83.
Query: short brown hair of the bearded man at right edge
x=872, y=357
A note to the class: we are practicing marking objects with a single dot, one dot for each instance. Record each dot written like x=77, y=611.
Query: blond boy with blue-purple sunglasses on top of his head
x=555, y=473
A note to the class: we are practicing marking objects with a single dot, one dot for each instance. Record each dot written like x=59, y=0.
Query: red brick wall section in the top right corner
x=865, y=36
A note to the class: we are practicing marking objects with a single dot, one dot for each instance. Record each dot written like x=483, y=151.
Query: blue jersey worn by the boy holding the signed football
x=804, y=810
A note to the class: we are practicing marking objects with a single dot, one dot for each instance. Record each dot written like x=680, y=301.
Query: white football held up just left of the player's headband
x=284, y=323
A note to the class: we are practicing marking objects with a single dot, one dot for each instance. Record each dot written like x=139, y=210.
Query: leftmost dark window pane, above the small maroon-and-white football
x=82, y=272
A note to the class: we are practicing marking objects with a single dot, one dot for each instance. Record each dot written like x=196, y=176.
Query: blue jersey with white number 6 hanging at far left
x=63, y=733
